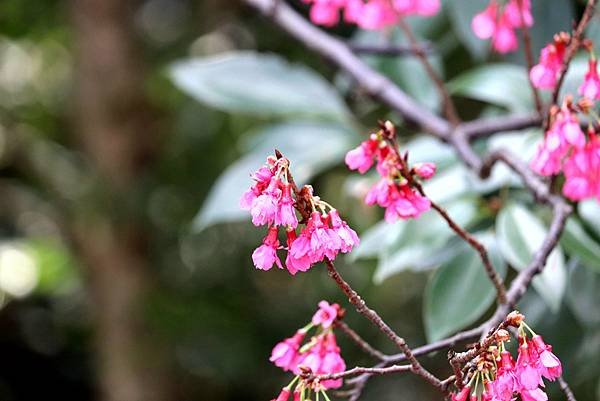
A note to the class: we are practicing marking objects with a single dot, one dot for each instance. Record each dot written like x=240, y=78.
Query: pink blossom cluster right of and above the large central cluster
x=398, y=188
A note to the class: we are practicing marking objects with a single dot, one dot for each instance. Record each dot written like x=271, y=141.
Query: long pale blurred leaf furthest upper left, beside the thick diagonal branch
x=260, y=84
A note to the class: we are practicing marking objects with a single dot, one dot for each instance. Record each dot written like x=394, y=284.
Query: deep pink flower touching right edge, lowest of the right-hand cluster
x=582, y=172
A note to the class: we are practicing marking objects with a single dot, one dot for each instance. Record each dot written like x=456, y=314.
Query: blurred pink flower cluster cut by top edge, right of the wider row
x=499, y=23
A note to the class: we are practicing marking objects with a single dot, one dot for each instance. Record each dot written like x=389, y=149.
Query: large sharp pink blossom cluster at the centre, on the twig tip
x=274, y=200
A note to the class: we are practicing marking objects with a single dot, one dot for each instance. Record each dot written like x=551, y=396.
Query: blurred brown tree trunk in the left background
x=114, y=127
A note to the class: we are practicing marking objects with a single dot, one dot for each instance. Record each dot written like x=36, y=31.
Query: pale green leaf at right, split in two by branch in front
x=520, y=234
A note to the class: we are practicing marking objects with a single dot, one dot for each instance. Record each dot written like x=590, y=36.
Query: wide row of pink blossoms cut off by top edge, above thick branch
x=369, y=14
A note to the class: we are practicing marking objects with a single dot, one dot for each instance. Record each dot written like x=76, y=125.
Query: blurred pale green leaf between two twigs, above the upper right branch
x=503, y=85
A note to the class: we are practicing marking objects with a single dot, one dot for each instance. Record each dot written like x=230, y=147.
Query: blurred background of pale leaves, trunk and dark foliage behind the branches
x=128, y=130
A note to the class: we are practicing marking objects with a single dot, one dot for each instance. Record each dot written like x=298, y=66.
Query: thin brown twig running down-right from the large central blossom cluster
x=363, y=309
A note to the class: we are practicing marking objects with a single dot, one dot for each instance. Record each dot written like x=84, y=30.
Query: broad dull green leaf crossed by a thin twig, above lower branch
x=459, y=292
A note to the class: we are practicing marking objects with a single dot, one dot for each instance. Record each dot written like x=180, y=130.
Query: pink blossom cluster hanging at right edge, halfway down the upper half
x=565, y=147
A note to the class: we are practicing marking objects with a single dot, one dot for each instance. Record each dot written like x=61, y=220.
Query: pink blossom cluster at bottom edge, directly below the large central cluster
x=320, y=355
